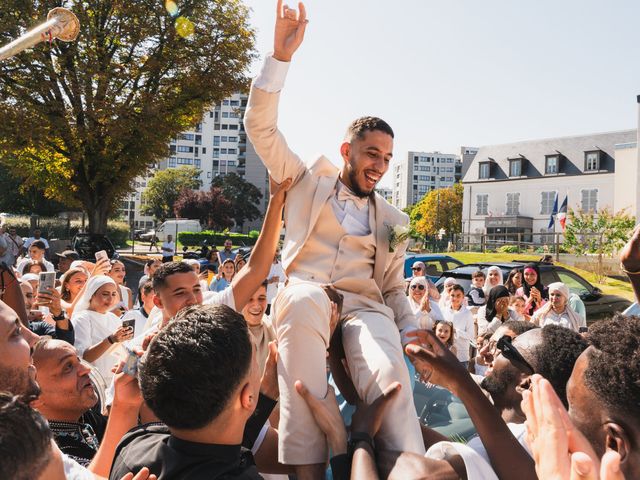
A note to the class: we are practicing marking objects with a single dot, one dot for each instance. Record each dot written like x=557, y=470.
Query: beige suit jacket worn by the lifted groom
x=313, y=185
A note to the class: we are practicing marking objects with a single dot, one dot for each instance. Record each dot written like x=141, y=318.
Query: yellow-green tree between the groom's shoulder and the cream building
x=441, y=208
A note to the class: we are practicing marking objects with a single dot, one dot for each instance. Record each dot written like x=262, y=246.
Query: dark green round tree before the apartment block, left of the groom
x=244, y=197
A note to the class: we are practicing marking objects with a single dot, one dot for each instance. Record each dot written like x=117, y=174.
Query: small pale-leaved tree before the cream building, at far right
x=601, y=233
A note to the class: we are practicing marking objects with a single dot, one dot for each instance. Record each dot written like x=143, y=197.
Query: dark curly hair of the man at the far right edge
x=613, y=372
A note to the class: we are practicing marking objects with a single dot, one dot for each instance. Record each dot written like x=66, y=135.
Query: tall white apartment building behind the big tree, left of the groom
x=217, y=145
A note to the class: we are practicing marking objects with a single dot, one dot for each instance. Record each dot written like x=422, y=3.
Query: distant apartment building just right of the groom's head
x=422, y=172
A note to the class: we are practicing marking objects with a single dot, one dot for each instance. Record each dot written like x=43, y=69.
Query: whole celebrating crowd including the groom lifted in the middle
x=302, y=368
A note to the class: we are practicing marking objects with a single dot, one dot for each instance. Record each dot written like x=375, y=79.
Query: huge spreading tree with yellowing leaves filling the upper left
x=85, y=118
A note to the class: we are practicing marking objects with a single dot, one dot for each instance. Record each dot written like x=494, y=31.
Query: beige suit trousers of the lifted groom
x=374, y=354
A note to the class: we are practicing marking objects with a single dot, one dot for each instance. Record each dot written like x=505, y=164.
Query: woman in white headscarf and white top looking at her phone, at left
x=98, y=331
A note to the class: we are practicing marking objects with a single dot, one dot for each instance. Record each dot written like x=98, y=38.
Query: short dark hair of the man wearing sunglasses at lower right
x=556, y=355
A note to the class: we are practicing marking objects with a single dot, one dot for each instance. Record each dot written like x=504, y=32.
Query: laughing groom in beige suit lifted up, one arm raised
x=339, y=233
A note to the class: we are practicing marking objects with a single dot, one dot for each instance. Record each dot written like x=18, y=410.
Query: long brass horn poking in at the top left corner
x=61, y=24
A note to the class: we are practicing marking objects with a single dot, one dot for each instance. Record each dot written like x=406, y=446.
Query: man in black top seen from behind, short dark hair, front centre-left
x=200, y=377
